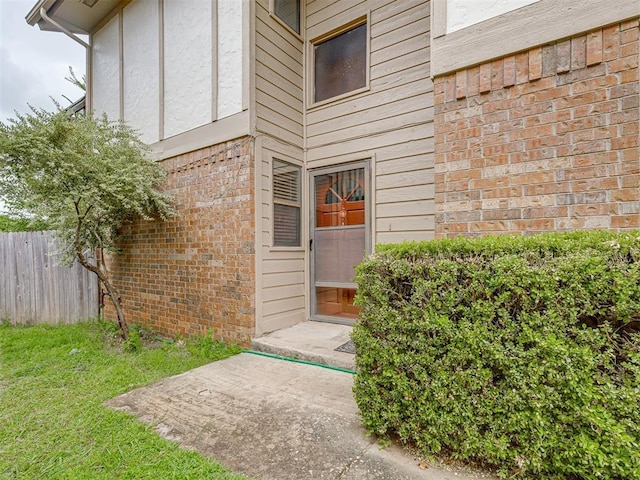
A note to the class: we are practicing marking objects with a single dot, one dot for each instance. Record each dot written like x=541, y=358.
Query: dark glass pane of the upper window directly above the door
x=340, y=63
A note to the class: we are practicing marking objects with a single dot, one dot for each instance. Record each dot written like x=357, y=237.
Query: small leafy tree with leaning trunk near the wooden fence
x=83, y=176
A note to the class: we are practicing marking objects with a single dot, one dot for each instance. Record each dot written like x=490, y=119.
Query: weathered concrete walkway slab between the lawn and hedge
x=274, y=419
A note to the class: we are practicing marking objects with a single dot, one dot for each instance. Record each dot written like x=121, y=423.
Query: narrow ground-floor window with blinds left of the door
x=286, y=204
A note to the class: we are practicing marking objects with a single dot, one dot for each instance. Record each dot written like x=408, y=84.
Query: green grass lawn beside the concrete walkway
x=53, y=424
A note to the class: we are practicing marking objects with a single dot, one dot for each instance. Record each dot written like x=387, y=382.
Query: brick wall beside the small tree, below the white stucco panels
x=196, y=272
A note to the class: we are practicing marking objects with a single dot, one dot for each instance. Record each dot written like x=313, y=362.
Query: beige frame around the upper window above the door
x=311, y=74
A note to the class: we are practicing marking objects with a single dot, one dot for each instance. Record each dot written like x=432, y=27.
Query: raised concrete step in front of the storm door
x=310, y=341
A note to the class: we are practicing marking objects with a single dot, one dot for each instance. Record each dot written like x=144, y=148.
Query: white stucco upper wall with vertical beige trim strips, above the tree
x=170, y=67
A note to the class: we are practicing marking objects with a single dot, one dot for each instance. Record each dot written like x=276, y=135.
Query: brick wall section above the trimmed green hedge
x=542, y=140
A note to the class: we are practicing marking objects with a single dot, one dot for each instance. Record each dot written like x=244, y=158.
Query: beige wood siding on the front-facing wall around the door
x=392, y=122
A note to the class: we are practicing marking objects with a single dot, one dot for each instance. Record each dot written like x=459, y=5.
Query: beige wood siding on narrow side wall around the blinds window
x=278, y=117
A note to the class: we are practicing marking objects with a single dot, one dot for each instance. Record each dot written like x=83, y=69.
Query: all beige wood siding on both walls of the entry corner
x=390, y=123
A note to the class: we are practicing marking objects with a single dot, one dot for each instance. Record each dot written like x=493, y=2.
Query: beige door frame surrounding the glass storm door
x=312, y=173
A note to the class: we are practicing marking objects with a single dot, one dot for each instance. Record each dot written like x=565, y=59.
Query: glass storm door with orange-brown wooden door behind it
x=339, y=240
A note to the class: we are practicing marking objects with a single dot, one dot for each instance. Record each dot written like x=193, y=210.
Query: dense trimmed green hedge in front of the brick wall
x=521, y=353
